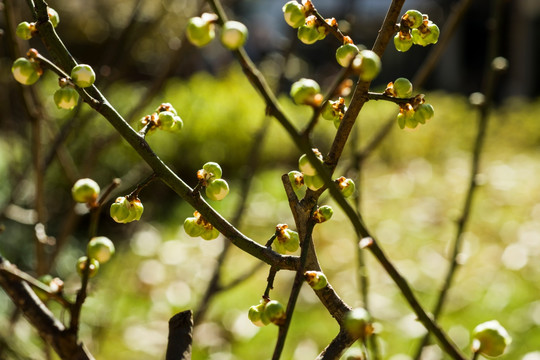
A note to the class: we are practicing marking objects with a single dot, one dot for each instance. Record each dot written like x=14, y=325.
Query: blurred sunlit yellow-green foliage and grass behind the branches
x=412, y=190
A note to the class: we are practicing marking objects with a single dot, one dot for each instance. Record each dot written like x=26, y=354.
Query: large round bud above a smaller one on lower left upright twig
x=99, y=250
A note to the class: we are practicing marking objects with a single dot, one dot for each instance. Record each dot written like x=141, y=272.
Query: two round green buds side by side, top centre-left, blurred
x=201, y=31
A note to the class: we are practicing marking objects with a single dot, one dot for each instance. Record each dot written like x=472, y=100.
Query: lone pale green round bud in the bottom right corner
x=490, y=339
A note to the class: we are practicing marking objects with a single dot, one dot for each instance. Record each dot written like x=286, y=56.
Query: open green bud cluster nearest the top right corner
x=415, y=28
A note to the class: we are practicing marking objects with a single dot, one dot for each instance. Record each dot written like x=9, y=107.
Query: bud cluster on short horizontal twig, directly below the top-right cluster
x=412, y=113
